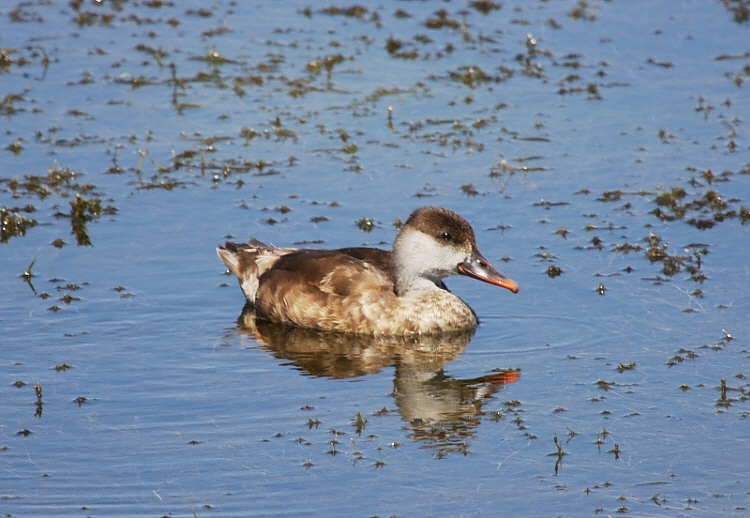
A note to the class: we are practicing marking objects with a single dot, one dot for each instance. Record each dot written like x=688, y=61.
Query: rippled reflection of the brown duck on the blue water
x=439, y=410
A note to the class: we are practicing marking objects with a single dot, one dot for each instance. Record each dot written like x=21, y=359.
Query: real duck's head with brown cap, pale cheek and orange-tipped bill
x=435, y=243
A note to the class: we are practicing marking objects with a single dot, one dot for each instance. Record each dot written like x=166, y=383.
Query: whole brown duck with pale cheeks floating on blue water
x=361, y=290
